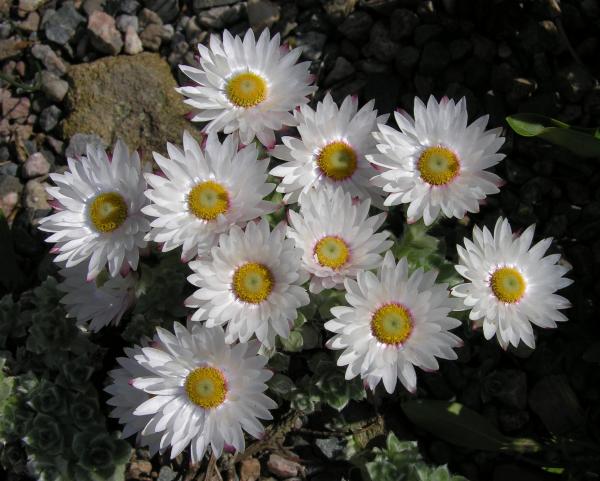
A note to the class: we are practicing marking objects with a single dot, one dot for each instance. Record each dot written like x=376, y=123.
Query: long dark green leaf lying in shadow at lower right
x=456, y=424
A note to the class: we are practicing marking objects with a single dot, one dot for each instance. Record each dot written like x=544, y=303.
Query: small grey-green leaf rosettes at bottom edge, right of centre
x=400, y=460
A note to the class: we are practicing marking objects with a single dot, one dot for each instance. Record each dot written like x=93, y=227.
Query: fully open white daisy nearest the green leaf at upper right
x=437, y=163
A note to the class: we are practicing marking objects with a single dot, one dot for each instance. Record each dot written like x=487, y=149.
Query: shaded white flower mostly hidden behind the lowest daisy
x=125, y=398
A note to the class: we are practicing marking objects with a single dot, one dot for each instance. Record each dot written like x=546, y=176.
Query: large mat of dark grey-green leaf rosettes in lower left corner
x=50, y=408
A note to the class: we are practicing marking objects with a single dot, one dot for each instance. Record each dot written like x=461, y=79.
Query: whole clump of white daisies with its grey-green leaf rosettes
x=203, y=386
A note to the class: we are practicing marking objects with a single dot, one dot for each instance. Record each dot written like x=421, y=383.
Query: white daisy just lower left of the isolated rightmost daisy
x=394, y=322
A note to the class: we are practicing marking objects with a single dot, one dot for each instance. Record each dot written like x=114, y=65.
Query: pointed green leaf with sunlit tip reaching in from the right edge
x=583, y=142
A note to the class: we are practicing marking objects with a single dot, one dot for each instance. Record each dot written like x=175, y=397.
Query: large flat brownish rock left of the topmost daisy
x=131, y=97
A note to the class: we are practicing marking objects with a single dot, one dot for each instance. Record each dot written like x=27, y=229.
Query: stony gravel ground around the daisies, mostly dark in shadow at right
x=79, y=71
